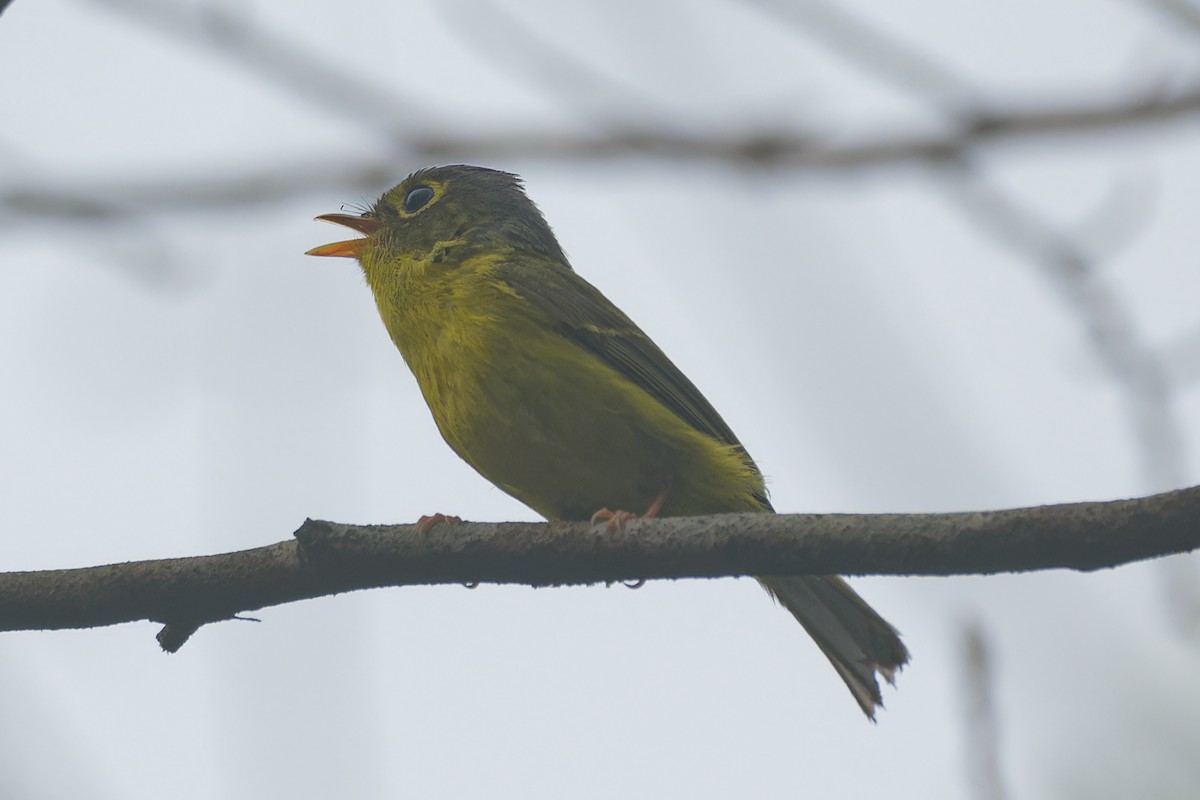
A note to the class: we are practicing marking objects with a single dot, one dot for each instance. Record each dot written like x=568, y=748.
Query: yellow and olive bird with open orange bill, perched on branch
x=551, y=393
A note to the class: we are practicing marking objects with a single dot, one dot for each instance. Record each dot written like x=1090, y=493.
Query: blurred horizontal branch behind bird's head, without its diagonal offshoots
x=237, y=189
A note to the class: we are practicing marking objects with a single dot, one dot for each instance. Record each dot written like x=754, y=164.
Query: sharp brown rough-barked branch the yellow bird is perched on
x=329, y=558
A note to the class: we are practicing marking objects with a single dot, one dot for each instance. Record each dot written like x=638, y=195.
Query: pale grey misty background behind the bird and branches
x=181, y=381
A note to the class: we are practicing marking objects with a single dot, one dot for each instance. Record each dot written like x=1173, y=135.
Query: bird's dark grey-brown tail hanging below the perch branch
x=859, y=642
